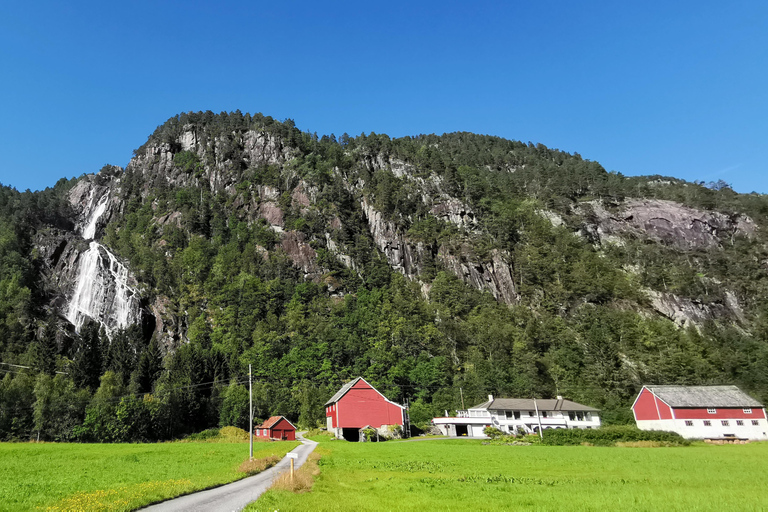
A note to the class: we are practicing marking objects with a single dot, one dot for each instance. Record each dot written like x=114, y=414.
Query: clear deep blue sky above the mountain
x=678, y=88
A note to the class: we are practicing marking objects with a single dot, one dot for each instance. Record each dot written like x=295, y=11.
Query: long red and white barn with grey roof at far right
x=701, y=412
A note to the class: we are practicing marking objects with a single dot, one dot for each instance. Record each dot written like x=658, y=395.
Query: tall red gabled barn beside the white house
x=356, y=405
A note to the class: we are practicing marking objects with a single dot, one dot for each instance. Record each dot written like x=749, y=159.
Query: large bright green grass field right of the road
x=464, y=475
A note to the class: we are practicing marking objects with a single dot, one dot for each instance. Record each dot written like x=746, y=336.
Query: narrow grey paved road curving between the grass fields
x=235, y=496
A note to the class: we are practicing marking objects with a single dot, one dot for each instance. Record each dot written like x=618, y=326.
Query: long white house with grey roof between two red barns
x=518, y=416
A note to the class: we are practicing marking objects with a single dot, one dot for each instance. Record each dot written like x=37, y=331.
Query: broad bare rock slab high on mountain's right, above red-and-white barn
x=668, y=222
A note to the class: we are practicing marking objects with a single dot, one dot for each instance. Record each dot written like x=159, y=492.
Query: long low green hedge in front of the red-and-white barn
x=609, y=436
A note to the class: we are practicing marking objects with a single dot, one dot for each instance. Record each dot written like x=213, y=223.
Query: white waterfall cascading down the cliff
x=102, y=292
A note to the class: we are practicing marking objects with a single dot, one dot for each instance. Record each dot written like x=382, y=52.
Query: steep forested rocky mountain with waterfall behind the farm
x=434, y=266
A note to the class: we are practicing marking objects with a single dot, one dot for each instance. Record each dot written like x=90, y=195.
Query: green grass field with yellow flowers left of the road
x=117, y=477
